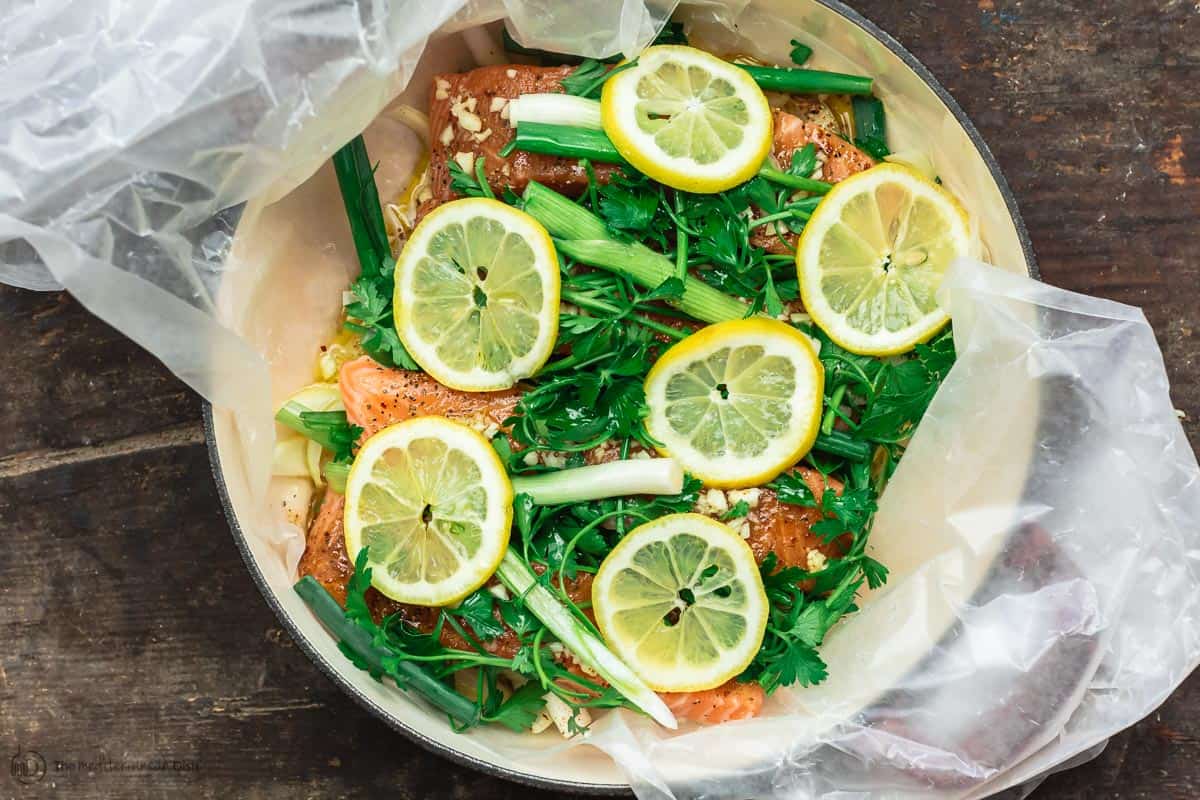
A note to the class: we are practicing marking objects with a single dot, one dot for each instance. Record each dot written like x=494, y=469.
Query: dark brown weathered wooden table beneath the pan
x=133, y=631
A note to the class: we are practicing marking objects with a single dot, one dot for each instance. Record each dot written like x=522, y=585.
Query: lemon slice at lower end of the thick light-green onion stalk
x=736, y=404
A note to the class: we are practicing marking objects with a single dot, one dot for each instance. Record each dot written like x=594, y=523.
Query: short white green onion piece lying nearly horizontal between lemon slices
x=609, y=480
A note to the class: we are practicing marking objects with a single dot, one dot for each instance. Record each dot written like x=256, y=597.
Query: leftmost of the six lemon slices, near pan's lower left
x=433, y=504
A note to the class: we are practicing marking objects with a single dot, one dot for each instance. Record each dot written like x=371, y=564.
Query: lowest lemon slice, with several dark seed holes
x=682, y=603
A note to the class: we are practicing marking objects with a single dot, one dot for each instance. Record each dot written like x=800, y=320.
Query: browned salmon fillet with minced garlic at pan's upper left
x=469, y=116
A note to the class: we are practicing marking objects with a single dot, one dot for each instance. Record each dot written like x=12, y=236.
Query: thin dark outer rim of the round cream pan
x=447, y=751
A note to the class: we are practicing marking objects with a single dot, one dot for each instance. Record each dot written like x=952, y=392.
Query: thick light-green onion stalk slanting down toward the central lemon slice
x=584, y=237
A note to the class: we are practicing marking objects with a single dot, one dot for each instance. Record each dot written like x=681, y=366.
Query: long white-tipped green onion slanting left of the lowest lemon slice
x=586, y=646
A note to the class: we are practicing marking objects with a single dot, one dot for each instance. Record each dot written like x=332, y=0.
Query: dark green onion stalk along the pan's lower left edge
x=380, y=661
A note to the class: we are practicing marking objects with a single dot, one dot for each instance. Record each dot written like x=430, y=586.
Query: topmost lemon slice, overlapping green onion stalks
x=688, y=119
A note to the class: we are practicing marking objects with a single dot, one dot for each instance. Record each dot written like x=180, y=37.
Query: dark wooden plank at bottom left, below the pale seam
x=134, y=633
